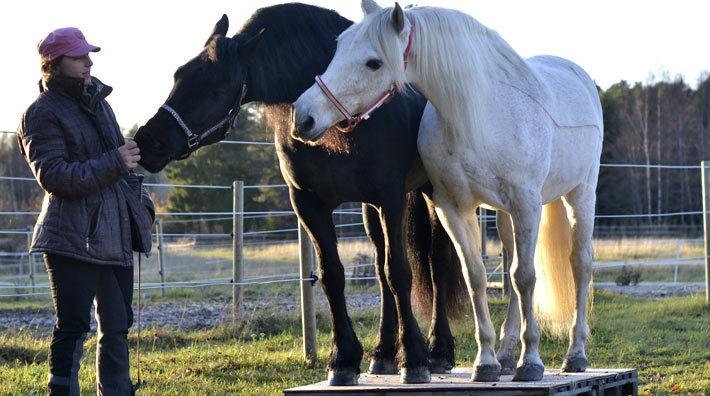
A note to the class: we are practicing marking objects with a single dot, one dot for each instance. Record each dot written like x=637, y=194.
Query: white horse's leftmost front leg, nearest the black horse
x=462, y=226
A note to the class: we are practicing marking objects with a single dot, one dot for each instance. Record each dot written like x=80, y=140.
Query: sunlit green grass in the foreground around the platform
x=665, y=339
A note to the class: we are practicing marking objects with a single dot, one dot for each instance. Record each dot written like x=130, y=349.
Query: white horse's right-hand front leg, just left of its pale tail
x=526, y=221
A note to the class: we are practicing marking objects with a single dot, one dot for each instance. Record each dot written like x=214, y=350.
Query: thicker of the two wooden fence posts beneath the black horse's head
x=237, y=246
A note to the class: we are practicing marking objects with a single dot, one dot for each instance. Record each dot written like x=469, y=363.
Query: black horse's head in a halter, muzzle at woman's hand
x=206, y=95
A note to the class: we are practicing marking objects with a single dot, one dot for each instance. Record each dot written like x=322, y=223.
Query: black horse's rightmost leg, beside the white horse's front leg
x=443, y=265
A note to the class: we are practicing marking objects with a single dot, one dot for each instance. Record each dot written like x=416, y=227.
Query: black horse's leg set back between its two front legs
x=383, y=357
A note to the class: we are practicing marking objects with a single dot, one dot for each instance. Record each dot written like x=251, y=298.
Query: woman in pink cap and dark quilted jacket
x=95, y=212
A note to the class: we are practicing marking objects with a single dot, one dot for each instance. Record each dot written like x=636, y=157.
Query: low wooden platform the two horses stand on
x=594, y=382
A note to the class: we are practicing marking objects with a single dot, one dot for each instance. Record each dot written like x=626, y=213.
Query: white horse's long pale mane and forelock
x=453, y=45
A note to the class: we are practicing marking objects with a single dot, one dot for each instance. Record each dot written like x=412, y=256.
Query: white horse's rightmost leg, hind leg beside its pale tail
x=581, y=201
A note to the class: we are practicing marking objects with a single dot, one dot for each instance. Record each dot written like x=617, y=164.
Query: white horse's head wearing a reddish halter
x=367, y=64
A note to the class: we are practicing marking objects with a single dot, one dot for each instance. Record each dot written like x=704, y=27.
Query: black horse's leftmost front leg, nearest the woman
x=346, y=352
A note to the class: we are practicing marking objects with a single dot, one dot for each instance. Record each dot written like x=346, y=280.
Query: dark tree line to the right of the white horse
x=661, y=123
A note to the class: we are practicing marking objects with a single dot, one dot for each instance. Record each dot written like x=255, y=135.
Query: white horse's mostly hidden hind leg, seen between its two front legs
x=510, y=329
